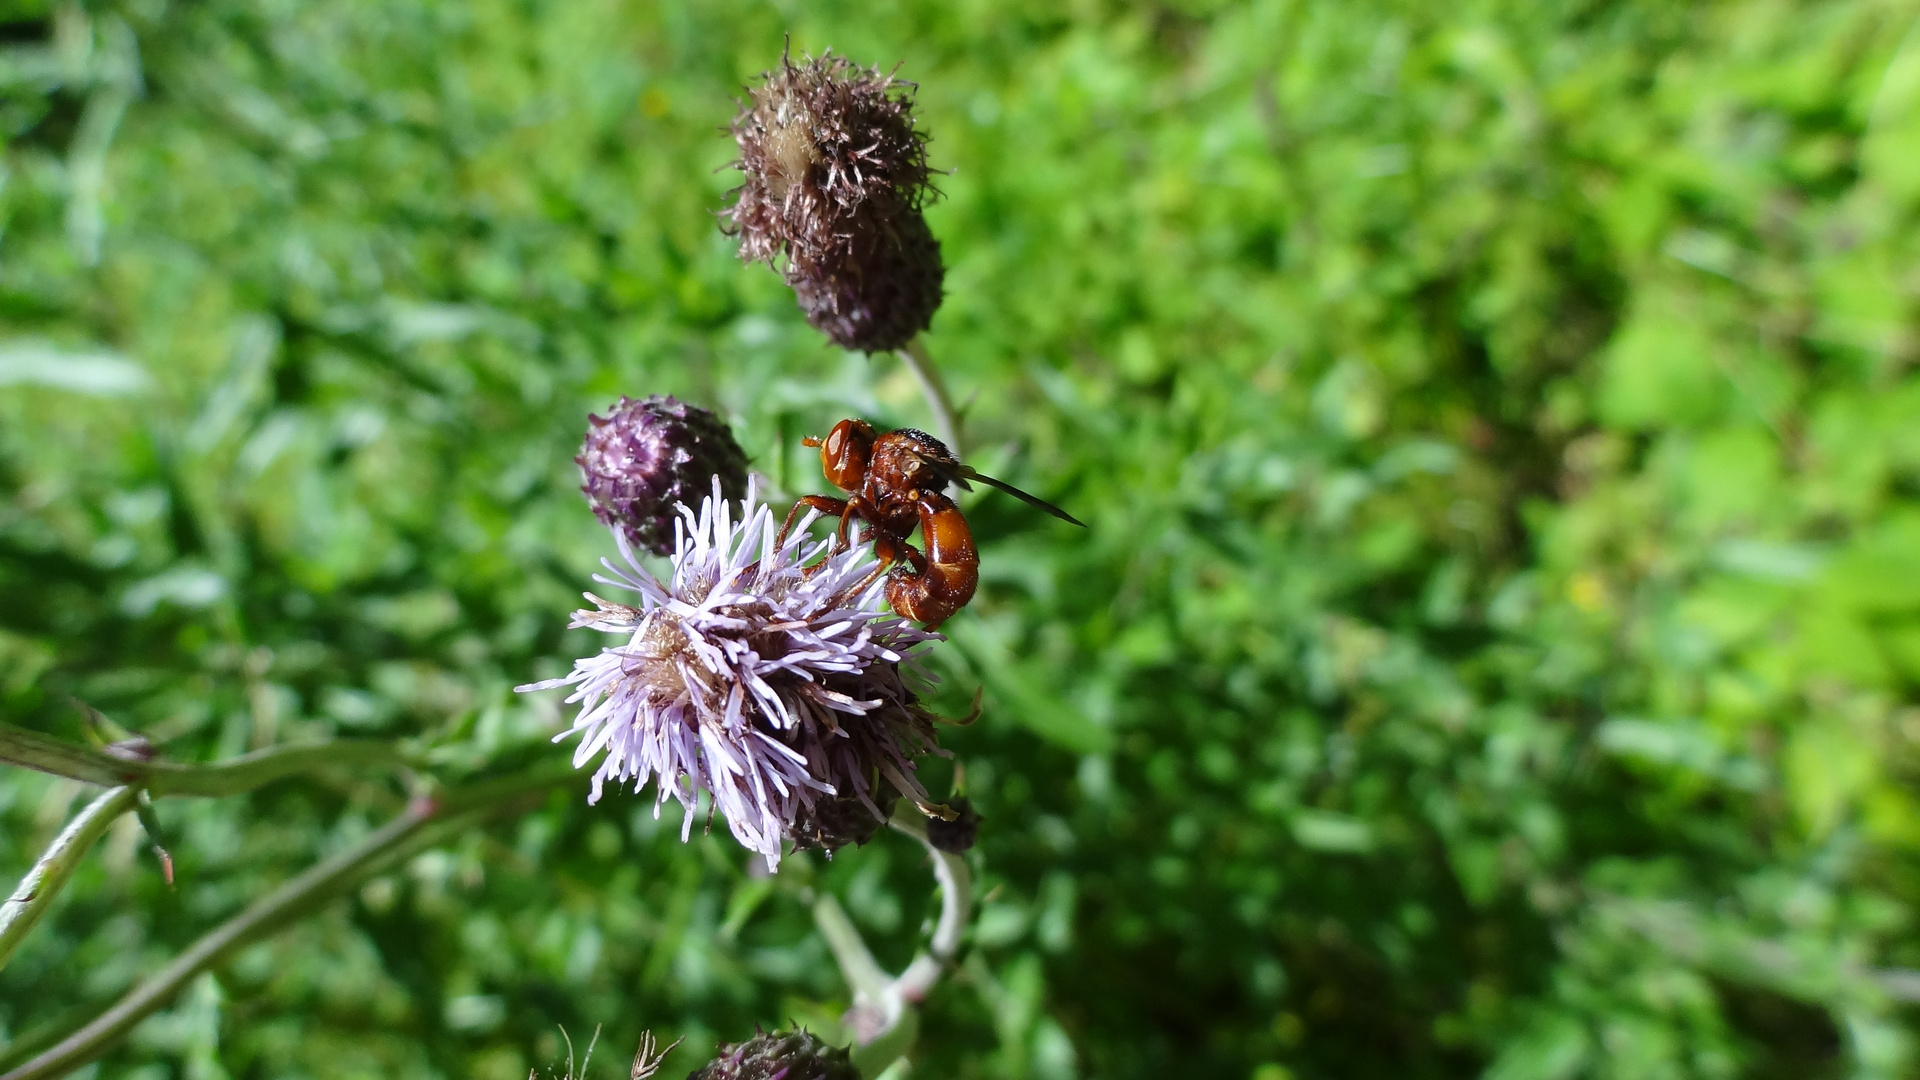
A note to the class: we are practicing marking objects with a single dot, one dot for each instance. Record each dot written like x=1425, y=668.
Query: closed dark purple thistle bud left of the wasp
x=644, y=458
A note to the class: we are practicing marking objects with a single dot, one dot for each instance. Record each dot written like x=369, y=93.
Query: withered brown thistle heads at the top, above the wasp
x=836, y=178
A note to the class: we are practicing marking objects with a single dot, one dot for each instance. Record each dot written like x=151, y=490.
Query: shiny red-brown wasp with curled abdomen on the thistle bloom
x=896, y=483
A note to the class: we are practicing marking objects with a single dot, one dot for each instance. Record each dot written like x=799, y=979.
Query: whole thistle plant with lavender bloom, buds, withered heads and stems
x=761, y=674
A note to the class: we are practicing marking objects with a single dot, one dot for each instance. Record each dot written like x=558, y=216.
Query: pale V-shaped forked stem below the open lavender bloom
x=880, y=1002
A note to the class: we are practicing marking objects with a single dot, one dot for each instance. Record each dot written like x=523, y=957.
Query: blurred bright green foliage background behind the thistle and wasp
x=1497, y=650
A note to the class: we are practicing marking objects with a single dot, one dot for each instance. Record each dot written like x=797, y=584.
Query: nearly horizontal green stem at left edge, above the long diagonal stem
x=47, y=754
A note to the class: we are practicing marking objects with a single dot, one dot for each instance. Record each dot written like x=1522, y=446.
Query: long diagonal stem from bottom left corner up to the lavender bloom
x=285, y=906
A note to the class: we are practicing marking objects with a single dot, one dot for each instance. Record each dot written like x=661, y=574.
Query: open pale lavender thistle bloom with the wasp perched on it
x=773, y=689
